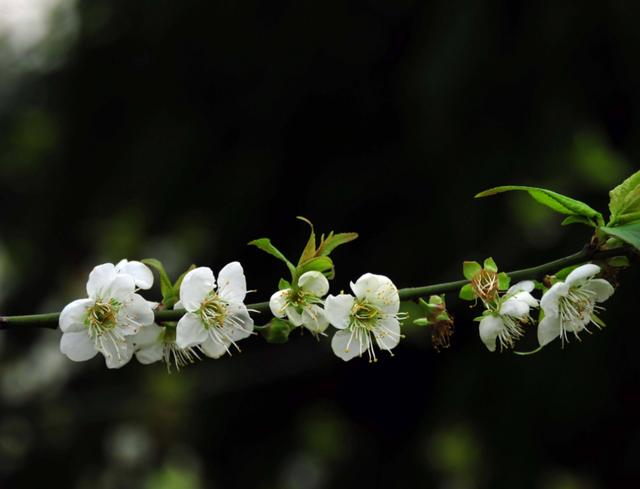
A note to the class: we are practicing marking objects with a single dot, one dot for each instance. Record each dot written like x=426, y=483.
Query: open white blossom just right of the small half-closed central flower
x=373, y=311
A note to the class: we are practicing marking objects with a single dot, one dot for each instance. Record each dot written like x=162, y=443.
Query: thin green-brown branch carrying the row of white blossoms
x=588, y=253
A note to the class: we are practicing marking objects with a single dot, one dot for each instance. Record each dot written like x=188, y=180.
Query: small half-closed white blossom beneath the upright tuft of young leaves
x=303, y=308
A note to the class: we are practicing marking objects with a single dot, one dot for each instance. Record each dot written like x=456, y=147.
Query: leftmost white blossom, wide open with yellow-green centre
x=106, y=320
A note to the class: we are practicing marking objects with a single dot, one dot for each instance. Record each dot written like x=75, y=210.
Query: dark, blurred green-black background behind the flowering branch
x=183, y=129
